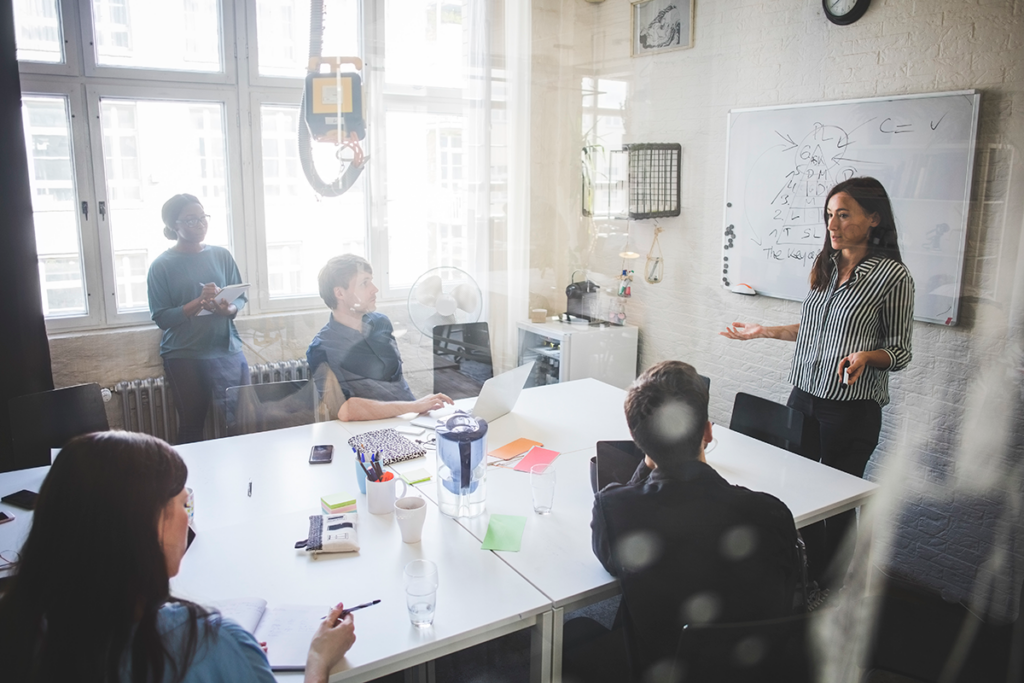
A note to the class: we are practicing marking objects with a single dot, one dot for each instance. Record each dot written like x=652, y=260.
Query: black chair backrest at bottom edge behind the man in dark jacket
x=754, y=652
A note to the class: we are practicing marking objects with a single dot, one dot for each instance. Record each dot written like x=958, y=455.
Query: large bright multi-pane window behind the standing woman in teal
x=166, y=100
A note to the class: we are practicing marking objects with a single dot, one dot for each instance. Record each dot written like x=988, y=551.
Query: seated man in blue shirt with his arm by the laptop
x=359, y=347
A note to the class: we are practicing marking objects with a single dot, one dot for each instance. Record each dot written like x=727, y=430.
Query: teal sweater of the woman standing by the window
x=176, y=279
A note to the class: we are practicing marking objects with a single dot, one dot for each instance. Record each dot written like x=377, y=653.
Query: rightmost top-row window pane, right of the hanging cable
x=424, y=44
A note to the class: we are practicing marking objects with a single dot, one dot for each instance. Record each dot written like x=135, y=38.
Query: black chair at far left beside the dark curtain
x=51, y=419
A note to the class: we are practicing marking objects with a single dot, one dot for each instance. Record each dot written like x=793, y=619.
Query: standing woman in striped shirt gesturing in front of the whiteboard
x=856, y=328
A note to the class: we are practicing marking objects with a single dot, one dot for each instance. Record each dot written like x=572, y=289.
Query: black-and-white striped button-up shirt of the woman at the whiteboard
x=874, y=310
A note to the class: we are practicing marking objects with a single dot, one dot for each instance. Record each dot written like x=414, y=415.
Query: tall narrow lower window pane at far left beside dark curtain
x=52, y=174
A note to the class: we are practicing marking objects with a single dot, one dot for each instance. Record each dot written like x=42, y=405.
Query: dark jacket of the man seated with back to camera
x=692, y=548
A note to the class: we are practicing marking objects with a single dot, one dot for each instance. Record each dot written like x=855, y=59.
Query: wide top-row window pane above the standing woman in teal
x=145, y=34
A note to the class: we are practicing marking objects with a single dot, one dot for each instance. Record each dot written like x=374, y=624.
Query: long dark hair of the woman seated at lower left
x=93, y=574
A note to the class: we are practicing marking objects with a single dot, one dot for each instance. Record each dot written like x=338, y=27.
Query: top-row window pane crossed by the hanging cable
x=283, y=33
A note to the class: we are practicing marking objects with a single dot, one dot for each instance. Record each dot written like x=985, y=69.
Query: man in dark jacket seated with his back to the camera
x=687, y=546
